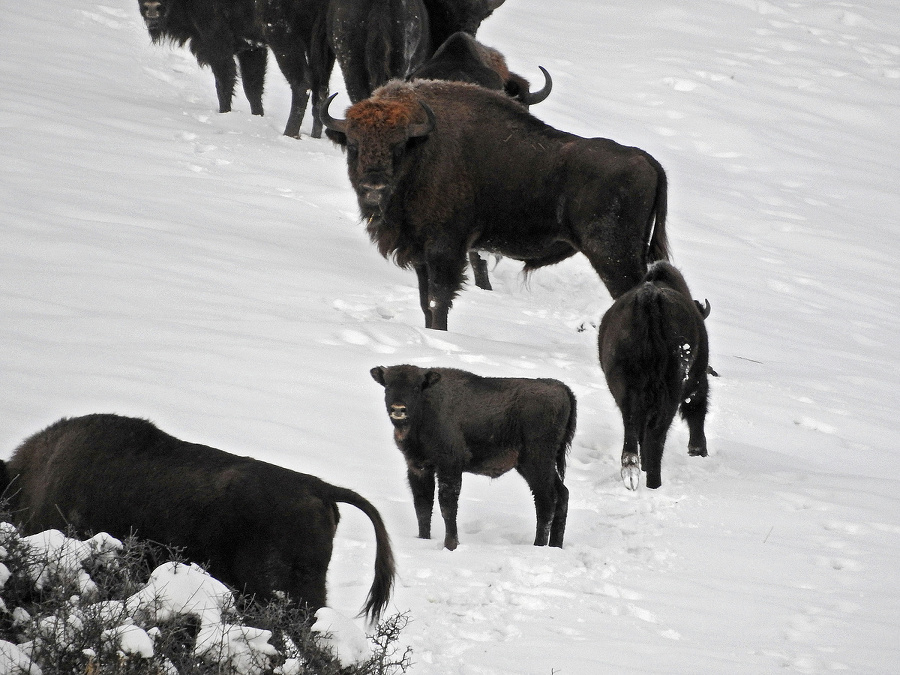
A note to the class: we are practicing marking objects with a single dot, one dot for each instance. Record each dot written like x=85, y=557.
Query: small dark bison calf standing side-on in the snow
x=449, y=421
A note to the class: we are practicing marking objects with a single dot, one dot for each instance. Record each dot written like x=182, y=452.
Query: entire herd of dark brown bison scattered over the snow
x=446, y=161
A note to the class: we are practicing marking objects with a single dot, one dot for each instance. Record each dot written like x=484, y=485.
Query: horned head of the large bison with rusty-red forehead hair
x=379, y=134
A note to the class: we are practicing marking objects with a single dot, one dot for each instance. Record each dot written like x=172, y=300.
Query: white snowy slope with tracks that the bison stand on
x=161, y=260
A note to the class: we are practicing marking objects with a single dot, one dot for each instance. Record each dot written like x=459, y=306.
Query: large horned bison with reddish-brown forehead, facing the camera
x=441, y=168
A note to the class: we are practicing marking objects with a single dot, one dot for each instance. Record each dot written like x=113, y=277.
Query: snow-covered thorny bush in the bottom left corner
x=107, y=607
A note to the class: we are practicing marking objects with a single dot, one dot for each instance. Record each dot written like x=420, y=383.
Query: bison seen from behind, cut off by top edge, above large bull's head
x=376, y=40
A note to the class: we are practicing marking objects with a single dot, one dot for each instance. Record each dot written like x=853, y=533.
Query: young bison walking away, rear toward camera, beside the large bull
x=654, y=352
